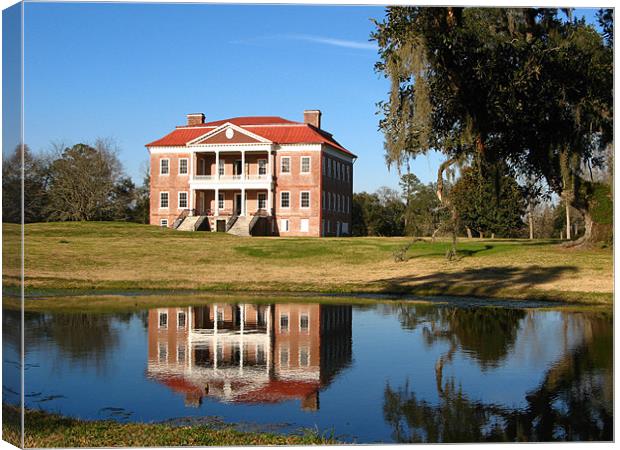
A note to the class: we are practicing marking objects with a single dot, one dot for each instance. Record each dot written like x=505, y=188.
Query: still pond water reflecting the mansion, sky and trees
x=392, y=372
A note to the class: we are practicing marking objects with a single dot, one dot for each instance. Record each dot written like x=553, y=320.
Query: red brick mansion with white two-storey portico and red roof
x=261, y=175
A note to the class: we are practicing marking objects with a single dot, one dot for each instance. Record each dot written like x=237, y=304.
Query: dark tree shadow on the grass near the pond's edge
x=488, y=281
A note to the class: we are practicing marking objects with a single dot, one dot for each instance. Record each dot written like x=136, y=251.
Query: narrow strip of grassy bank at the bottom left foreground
x=50, y=430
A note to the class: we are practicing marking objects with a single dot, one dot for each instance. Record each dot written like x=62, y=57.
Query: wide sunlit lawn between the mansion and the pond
x=117, y=257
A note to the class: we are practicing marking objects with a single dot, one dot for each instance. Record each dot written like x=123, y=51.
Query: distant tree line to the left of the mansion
x=81, y=182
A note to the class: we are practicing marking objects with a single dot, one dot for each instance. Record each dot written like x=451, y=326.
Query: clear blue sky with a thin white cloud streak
x=132, y=71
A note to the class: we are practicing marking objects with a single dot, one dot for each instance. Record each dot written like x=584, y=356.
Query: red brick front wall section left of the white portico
x=172, y=183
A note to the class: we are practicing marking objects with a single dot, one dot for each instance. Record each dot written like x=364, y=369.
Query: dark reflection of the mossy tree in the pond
x=573, y=402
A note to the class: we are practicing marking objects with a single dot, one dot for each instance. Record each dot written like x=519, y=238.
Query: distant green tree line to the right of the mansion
x=485, y=206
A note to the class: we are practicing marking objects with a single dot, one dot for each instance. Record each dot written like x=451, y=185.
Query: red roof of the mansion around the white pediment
x=275, y=129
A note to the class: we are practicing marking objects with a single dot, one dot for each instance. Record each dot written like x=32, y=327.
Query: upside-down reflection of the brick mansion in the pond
x=249, y=353
